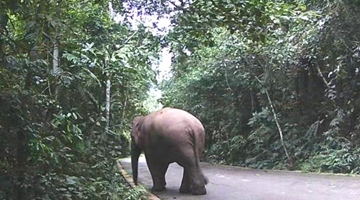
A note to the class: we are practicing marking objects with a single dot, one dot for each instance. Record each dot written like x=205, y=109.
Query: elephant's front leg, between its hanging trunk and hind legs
x=157, y=171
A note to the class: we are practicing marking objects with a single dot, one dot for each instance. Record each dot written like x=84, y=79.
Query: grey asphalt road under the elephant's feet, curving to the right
x=227, y=183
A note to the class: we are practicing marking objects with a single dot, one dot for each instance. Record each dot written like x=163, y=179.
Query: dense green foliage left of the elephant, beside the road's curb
x=53, y=144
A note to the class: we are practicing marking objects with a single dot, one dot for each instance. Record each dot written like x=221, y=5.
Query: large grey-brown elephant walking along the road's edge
x=167, y=136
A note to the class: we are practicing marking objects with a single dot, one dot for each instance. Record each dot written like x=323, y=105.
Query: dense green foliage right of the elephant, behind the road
x=232, y=61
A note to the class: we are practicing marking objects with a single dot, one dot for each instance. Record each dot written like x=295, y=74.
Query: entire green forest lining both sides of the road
x=276, y=85
